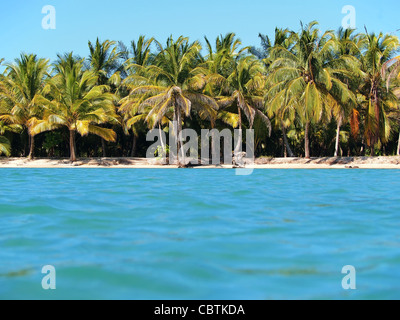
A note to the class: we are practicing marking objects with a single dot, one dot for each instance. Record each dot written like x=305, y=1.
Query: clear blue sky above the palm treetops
x=83, y=20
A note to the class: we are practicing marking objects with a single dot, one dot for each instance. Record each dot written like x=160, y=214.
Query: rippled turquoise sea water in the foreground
x=199, y=234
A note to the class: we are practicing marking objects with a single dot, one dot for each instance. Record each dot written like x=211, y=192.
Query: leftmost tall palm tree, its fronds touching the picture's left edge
x=20, y=92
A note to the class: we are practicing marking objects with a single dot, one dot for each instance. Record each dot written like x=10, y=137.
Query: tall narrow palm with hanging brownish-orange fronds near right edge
x=377, y=51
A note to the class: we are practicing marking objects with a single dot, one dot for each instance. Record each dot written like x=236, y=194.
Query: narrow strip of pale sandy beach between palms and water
x=388, y=162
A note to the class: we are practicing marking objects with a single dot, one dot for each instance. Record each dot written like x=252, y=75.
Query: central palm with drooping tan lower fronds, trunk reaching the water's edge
x=171, y=85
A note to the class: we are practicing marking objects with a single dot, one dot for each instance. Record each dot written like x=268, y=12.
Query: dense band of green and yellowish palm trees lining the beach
x=304, y=93
